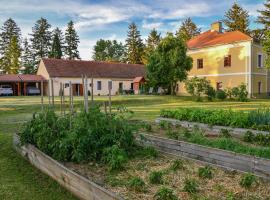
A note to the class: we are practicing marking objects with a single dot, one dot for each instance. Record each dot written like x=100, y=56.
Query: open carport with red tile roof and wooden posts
x=19, y=82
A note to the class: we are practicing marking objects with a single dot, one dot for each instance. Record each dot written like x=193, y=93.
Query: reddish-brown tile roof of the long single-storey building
x=76, y=68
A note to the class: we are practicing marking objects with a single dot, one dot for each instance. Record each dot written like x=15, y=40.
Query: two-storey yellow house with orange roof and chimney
x=228, y=59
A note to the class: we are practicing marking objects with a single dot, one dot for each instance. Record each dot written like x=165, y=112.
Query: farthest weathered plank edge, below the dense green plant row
x=214, y=129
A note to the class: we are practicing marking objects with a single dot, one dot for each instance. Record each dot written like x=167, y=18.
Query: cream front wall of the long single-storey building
x=104, y=85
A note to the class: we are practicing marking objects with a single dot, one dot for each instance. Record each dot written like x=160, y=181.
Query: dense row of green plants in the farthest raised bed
x=256, y=119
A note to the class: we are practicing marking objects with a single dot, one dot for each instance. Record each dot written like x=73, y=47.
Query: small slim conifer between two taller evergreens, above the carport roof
x=27, y=59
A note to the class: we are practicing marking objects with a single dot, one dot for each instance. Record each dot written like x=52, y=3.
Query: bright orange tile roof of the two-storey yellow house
x=212, y=38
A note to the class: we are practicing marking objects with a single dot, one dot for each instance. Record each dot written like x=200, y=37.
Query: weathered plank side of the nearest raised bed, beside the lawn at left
x=76, y=184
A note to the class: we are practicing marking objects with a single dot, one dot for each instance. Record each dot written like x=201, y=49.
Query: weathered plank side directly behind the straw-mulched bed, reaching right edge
x=221, y=158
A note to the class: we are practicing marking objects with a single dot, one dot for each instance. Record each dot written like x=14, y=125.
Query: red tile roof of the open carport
x=20, y=78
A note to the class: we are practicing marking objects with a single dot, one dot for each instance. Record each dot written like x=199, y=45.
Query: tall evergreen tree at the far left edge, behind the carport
x=9, y=30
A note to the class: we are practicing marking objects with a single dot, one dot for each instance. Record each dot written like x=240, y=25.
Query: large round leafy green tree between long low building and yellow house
x=168, y=64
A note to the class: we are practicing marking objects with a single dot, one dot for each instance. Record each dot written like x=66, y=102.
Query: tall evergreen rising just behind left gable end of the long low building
x=41, y=39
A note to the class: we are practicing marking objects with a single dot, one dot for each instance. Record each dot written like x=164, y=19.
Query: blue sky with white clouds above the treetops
x=109, y=19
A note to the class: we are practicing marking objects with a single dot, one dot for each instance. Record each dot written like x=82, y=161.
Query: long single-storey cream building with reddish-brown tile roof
x=120, y=76
